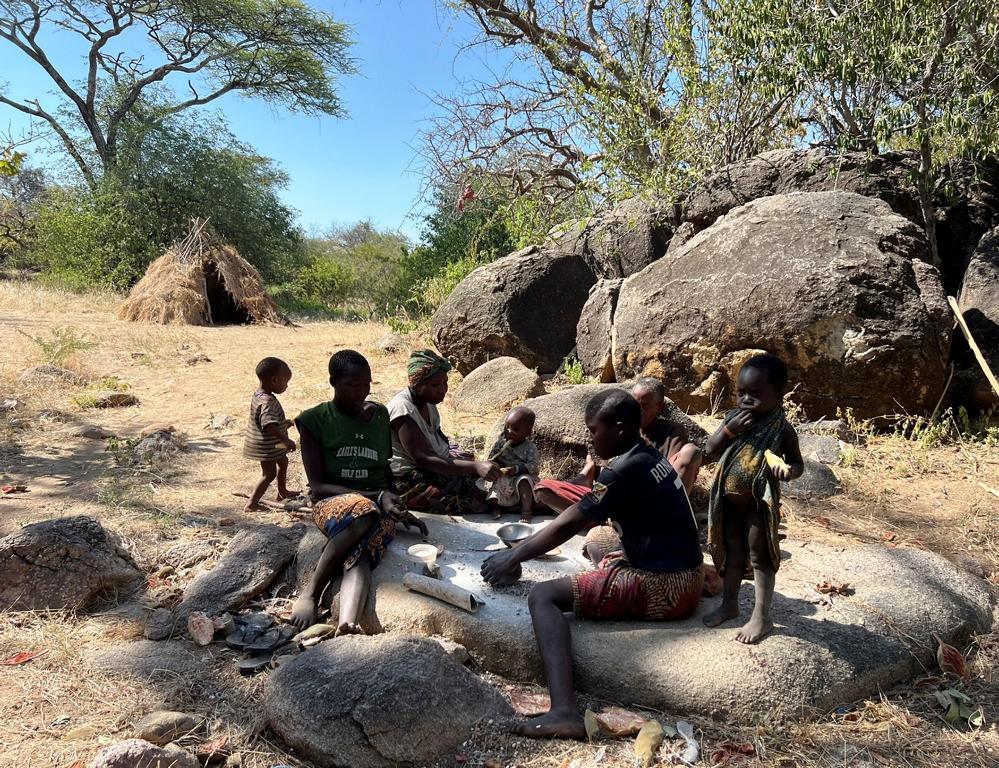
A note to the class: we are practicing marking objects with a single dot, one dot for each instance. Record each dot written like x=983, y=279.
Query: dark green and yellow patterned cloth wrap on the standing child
x=743, y=470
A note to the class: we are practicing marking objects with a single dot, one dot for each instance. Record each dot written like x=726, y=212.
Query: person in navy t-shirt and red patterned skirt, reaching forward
x=652, y=570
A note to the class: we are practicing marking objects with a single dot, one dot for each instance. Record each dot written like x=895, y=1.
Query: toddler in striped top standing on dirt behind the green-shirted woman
x=267, y=439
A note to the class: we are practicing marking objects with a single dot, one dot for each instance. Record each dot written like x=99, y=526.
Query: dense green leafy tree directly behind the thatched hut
x=170, y=173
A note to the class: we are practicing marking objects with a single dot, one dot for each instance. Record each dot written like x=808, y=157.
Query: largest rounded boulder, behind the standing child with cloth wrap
x=832, y=282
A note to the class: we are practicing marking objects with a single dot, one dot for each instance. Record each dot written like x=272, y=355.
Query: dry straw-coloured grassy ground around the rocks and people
x=55, y=712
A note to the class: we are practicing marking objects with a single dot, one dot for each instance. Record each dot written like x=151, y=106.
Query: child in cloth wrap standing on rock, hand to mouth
x=745, y=497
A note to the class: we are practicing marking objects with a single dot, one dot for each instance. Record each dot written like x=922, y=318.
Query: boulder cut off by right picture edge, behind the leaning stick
x=979, y=302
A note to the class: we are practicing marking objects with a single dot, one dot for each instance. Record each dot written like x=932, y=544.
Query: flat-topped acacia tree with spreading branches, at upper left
x=281, y=51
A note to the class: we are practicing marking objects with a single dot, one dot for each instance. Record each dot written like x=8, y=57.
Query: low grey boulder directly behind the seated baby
x=560, y=427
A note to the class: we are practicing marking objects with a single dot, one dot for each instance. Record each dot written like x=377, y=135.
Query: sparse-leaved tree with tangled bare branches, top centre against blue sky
x=626, y=95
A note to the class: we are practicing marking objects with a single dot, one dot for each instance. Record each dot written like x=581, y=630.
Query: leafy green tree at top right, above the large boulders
x=881, y=74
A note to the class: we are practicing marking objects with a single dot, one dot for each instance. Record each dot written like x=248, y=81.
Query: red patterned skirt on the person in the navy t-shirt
x=616, y=590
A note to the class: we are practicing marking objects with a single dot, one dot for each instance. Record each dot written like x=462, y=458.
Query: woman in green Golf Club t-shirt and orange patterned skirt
x=345, y=445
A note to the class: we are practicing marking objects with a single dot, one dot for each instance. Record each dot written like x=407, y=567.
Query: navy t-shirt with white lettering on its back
x=642, y=493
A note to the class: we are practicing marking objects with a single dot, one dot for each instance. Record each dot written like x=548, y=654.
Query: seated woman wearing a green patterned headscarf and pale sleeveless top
x=430, y=473
